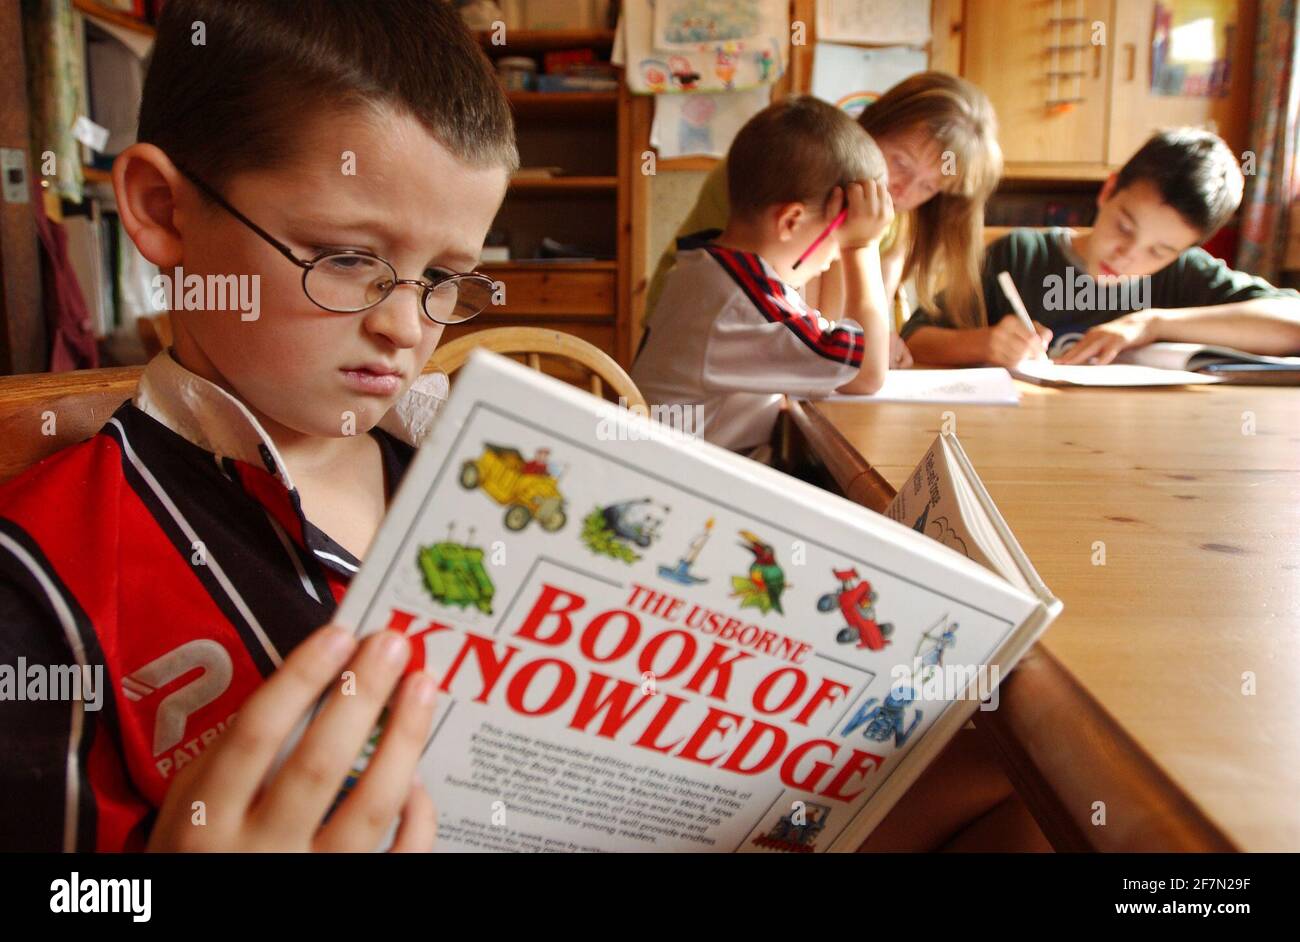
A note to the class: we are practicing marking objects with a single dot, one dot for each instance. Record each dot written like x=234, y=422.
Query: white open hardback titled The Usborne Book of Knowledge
x=645, y=643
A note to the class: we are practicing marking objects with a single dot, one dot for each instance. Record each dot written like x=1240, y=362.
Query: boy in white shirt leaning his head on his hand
x=807, y=186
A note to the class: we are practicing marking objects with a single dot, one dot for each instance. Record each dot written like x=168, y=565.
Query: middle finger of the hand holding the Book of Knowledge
x=310, y=782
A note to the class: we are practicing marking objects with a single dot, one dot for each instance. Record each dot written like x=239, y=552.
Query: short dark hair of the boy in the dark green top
x=1195, y=172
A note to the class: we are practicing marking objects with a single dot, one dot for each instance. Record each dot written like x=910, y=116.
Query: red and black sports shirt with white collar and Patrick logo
x=171, y=554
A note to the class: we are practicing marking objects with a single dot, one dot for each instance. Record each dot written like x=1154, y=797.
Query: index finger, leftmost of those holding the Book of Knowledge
x=245, y=753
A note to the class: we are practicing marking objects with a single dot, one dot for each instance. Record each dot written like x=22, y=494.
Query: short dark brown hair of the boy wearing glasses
x=231, y=83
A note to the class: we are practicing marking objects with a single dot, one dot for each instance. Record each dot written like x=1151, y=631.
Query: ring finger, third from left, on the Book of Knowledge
x=367, y=814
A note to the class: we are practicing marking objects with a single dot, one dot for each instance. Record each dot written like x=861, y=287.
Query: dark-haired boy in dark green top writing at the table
x=1136, y=279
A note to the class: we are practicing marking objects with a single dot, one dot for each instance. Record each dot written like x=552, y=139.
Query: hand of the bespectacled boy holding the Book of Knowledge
x=224, y=801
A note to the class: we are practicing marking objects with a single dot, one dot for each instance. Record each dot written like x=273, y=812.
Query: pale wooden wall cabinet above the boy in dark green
x=1073, y=108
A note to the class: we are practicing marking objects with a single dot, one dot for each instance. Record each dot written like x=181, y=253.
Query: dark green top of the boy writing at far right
x=1060, y=294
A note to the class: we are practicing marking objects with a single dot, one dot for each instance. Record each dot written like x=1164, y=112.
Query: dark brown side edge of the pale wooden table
x=1061, y=749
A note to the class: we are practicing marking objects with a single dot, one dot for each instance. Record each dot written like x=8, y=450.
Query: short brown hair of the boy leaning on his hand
x=798, y=151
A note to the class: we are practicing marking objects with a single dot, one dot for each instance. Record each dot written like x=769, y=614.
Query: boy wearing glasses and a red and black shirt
x=352, y=159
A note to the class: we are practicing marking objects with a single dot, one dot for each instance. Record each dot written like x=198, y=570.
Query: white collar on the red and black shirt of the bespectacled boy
x=206, y=415
